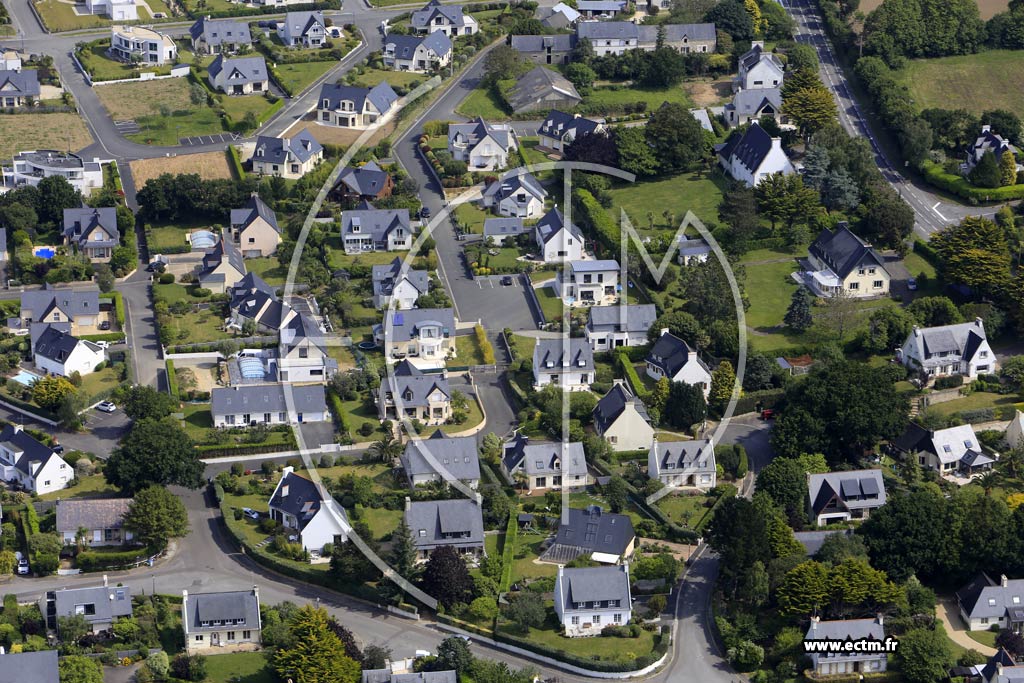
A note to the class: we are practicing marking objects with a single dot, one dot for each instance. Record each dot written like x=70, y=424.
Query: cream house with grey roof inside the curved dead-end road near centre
x=409, y=393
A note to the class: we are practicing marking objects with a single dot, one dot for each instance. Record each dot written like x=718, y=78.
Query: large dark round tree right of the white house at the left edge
x=155, y=453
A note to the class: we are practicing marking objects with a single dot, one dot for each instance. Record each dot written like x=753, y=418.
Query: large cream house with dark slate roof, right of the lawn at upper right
x=839, y=261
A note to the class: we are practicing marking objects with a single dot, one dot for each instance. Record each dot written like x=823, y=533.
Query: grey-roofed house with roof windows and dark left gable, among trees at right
x=840, y=497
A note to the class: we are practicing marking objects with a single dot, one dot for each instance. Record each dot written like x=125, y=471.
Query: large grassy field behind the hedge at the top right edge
x=990, y=80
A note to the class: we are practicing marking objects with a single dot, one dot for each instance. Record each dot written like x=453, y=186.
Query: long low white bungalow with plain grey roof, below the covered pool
x=269, y=405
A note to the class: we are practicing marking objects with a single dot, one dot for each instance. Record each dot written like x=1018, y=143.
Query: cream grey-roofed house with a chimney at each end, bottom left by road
x=223, y=622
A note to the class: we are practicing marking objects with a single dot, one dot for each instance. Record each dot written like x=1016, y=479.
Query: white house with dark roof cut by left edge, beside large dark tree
x=30, y=465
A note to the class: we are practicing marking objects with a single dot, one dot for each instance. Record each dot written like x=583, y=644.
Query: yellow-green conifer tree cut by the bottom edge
x=317, y=655
